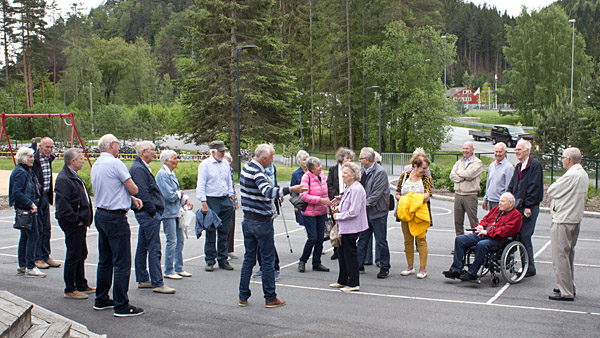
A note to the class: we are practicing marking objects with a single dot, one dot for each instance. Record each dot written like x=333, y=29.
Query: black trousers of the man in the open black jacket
x=74, y=272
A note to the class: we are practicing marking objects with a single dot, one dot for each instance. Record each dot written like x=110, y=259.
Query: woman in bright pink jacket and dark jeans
x=315, y=214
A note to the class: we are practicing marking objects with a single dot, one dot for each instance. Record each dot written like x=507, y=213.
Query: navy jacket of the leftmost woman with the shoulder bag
x=21, y=188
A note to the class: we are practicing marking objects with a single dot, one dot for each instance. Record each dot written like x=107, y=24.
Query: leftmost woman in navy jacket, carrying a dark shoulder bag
x=24, y=194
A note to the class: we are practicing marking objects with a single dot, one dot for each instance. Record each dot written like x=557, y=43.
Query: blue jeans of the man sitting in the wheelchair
x=482, y=246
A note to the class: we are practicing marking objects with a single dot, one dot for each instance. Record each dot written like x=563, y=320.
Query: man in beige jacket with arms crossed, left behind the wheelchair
x=466, y=175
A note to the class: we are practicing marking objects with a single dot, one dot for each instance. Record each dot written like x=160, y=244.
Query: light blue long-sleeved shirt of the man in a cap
x=214, y=179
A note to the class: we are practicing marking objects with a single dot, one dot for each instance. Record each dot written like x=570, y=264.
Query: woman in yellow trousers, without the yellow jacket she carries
x=418, y=182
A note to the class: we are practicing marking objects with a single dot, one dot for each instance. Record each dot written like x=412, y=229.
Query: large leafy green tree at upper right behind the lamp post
x=539, y=52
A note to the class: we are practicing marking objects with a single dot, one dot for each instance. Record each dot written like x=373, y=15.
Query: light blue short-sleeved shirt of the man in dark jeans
x=108, y=175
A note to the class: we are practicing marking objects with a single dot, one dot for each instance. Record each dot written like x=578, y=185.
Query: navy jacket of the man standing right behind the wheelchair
x=528, y=186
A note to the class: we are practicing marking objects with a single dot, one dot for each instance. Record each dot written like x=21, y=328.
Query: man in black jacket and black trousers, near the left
x=74, y=214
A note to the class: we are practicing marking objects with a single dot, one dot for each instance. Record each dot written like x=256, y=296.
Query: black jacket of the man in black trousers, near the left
x=73, y=204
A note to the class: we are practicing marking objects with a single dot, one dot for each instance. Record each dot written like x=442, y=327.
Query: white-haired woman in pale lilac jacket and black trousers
x=352, y=219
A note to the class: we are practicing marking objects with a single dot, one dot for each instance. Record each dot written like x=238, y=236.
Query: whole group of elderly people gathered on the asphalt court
x=358, y=198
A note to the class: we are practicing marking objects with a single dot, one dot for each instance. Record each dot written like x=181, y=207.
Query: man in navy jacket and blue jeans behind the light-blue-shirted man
x=149, y=218
